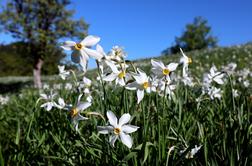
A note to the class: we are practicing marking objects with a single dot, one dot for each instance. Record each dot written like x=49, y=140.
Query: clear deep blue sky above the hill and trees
x=146, y=27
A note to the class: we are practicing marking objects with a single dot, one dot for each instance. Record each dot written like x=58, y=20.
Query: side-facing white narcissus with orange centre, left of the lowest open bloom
x=75, y=112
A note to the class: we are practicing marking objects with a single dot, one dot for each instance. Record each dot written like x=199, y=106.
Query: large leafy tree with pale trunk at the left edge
x=40, y=24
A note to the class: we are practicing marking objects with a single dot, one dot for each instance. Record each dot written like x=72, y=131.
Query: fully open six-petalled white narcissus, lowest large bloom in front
x=119, y=129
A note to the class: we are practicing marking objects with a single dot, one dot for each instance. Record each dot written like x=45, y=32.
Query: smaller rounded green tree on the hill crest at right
x=196, y=36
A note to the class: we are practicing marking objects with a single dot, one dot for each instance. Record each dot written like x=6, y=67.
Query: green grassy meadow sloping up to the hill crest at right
x=170, y=125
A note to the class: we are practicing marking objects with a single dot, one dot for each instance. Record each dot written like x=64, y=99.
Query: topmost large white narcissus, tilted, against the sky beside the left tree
x=81, y=51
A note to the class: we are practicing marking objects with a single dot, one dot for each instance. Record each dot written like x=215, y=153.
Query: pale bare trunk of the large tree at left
x=37, y=73
